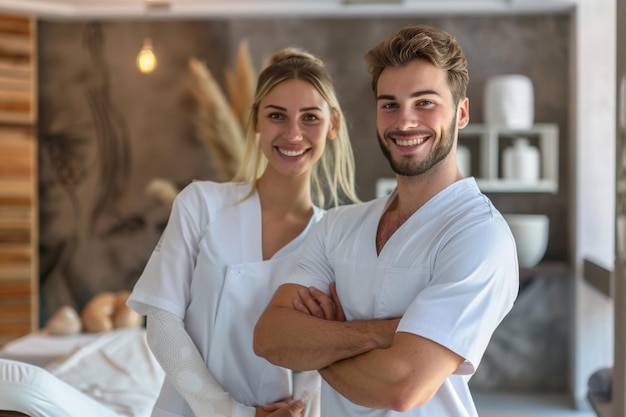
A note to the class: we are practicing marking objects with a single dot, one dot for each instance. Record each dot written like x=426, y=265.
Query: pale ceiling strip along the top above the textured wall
x=81, y=9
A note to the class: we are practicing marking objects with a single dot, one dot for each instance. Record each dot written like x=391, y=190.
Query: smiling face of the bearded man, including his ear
x=417, y=119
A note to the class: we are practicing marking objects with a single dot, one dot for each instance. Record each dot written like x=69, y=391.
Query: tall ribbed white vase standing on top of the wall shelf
x=509, y=101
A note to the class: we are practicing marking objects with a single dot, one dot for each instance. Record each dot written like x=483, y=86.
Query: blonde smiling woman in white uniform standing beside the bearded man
x=228, y=246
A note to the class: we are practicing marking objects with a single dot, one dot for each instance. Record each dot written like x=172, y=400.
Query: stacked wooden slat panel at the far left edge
x=19, y=265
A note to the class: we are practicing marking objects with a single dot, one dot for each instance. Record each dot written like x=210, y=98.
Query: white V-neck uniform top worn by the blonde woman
x=208, y=270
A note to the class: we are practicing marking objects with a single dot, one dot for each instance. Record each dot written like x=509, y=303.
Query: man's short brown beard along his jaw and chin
x=409, y=168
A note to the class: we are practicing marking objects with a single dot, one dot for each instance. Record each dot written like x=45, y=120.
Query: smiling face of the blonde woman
x=294, y=122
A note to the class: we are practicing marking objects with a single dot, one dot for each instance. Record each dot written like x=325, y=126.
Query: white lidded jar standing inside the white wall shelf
x=520, y=162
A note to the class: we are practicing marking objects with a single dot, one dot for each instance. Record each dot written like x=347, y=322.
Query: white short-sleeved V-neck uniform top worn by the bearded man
x=450, y=271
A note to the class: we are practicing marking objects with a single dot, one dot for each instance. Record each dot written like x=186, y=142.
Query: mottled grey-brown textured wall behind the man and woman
x=106, y=130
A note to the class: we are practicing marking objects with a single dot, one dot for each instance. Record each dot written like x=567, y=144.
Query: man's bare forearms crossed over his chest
x=366, y=361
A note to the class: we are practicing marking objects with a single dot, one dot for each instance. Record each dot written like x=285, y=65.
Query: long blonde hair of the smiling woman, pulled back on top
x=333, y=174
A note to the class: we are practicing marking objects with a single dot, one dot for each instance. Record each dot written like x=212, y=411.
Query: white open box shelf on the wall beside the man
x=489, y=146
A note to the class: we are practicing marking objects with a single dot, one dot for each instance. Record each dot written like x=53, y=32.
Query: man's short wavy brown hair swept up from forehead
x=421, y=42
